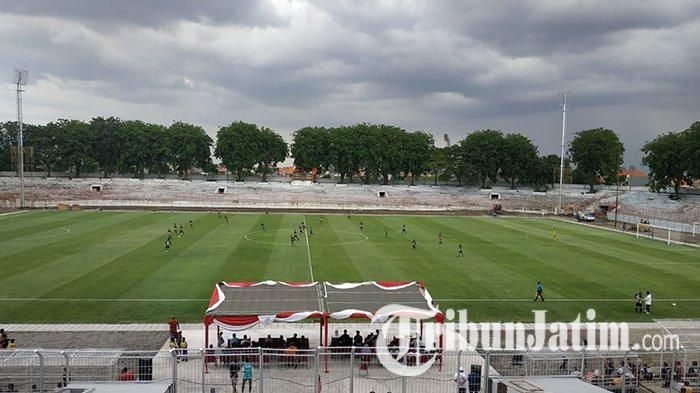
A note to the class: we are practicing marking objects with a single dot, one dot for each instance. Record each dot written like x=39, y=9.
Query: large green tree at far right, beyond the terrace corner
x=666, y=156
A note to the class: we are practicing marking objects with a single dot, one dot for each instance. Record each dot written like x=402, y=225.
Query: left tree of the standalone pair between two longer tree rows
x=237, y=147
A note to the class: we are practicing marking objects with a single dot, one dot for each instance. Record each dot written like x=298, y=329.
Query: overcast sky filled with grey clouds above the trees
x=436, y=65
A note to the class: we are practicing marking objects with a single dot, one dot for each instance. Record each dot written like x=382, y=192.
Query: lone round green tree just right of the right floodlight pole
x=597, y=154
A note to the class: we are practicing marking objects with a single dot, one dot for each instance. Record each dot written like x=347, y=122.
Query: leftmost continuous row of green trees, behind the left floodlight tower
x=110, y=145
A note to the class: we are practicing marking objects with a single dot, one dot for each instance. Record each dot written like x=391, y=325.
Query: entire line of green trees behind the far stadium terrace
x=362, y=152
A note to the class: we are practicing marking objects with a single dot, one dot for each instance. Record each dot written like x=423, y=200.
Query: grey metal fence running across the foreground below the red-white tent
x=338, y=369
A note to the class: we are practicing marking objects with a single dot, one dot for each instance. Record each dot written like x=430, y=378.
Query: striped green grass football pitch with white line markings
x=100, y=266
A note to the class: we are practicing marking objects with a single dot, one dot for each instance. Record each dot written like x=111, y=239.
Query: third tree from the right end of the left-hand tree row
x=108, y=143
